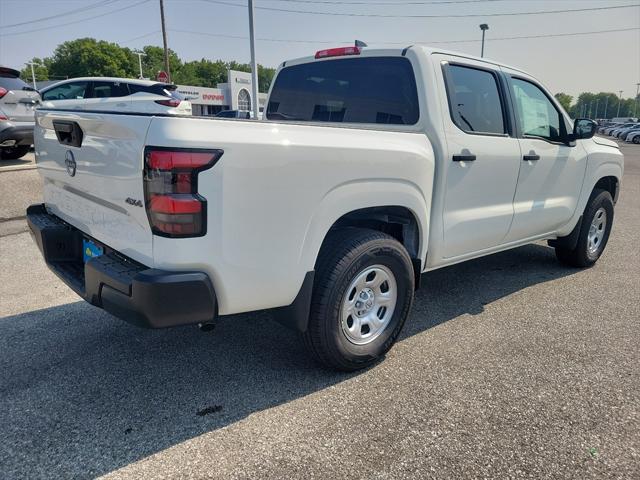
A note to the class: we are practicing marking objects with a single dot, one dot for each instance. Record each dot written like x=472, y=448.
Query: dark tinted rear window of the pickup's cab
x=352, y=90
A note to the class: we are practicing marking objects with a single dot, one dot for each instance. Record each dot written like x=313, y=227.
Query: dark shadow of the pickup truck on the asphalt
x=84, y=394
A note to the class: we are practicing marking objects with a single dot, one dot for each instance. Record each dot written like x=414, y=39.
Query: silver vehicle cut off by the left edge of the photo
x=17, y=104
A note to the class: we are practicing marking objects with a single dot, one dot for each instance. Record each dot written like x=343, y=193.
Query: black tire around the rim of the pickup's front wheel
x=582, y=256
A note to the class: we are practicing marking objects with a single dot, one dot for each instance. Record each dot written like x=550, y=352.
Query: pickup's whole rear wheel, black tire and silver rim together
x=362, y=295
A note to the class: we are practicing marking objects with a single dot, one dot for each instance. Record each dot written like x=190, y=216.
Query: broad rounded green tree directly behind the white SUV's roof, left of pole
x=88, y=57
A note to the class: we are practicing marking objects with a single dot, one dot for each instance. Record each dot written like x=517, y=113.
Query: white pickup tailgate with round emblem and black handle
x=96, y=184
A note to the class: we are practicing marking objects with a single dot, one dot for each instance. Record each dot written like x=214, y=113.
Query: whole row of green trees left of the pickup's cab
x=88, y=57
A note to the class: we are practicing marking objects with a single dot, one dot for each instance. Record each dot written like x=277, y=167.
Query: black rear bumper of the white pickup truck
x=146, y=297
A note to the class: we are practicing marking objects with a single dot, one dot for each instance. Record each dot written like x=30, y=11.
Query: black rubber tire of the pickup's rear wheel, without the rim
x=345, y=254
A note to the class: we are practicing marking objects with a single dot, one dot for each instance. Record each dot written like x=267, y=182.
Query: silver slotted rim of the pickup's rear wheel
x=368, y=304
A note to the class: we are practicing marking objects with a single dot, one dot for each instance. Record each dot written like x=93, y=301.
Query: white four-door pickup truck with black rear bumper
x=370, y=168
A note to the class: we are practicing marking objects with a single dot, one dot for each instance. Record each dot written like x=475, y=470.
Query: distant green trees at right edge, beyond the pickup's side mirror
x=599, y=105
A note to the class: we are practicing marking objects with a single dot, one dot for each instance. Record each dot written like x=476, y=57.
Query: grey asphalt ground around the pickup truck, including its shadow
x=510, y=366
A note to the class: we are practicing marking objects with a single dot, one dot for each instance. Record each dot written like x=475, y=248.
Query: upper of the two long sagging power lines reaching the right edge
x=463, y=15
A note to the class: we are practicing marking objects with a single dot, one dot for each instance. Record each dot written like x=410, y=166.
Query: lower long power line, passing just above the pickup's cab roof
x=437, y=42
